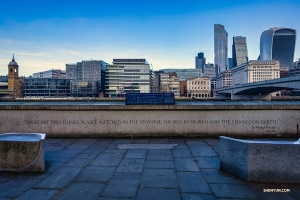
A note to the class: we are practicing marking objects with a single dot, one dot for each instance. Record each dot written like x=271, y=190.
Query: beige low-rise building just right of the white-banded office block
x=169, y=83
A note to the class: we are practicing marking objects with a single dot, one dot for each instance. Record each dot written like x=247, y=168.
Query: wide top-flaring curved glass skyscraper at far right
x=278, y=44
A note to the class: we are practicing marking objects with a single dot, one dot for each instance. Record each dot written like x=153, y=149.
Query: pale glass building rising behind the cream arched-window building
x=184, y=74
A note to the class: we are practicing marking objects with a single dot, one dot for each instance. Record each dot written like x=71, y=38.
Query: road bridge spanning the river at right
x=259, y=90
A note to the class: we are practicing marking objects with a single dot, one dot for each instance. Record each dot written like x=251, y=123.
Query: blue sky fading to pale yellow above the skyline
x=45, y=35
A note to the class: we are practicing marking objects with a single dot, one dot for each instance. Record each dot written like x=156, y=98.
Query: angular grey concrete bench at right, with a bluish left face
x=261, y=160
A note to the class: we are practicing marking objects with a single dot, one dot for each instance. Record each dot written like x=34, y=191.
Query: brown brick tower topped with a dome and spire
x=15, y=83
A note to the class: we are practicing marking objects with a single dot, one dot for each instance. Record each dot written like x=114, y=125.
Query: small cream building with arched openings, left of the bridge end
x=199, y=87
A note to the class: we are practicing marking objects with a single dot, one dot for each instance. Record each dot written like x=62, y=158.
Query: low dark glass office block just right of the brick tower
x=46, y=88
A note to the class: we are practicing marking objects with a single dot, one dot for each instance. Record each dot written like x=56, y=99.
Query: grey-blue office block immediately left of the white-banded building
x=88, y=78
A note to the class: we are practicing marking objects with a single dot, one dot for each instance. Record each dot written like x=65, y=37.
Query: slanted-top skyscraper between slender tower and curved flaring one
x=239, y=51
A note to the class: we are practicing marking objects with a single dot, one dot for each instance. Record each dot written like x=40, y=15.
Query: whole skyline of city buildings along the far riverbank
x=97, y=78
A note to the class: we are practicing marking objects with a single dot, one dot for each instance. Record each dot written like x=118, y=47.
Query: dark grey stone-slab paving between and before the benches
x=99, y=169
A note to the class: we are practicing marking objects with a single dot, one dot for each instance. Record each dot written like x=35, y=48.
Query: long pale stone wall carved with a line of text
x=152, y=120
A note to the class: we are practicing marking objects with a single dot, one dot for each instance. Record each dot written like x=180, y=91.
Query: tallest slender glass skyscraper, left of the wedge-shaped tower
x=220, y=48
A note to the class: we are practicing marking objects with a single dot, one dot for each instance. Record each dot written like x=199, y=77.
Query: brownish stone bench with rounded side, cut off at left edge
x=22, y=152
